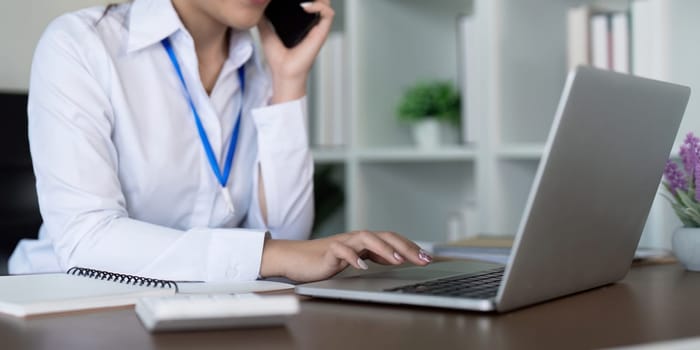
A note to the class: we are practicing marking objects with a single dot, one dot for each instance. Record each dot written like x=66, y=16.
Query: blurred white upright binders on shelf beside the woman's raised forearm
x=329, y=122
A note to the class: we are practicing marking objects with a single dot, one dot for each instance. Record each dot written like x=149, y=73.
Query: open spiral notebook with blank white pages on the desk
x=84, y=289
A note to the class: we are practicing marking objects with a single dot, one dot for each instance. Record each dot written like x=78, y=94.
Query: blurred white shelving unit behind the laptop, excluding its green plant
x=520, y=51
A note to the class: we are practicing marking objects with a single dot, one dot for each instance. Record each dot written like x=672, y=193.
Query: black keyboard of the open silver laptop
x=483, y=285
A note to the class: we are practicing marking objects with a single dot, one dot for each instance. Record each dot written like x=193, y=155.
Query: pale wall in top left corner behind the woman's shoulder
x=21, y=25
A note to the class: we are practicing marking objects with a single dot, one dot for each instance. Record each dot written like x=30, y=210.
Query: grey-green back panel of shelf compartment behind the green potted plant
x=395, y=44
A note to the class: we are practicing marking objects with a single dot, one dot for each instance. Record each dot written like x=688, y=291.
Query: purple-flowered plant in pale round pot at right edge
x=681, y=182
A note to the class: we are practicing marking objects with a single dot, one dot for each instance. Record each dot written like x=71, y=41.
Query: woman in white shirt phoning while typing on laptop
x=136, y=115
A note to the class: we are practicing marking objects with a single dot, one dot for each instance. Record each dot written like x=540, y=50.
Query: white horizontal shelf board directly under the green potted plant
x=410, y=154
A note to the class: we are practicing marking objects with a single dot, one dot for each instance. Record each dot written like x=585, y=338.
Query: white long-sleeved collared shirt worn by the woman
x=123, y=181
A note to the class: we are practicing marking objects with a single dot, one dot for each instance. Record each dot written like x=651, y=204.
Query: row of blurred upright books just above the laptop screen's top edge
x=599, y=36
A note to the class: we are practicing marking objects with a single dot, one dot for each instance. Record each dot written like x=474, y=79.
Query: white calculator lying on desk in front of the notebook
x=215, y=311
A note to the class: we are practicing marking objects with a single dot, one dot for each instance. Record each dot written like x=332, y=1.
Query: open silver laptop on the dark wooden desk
x=595, y=184
